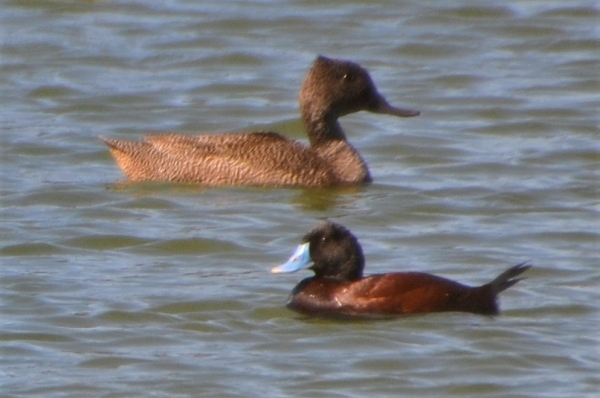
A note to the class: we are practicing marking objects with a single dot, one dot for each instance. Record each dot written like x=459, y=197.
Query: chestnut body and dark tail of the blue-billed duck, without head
x=399, y=293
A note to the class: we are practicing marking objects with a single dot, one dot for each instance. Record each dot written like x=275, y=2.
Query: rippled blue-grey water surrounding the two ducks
x=110, y=289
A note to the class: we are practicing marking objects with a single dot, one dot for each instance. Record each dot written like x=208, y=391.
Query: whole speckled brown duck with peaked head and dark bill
x=332, y=88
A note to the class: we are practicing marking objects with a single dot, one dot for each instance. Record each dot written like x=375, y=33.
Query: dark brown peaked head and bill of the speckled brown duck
x=335, y=88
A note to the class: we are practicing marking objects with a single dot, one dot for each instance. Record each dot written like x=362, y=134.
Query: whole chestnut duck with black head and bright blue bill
x=339, y=288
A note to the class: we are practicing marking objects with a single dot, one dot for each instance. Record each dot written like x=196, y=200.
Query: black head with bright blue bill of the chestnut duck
x=333, y=251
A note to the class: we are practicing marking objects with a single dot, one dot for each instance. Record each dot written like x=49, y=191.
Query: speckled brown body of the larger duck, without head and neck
x=261, y=159
